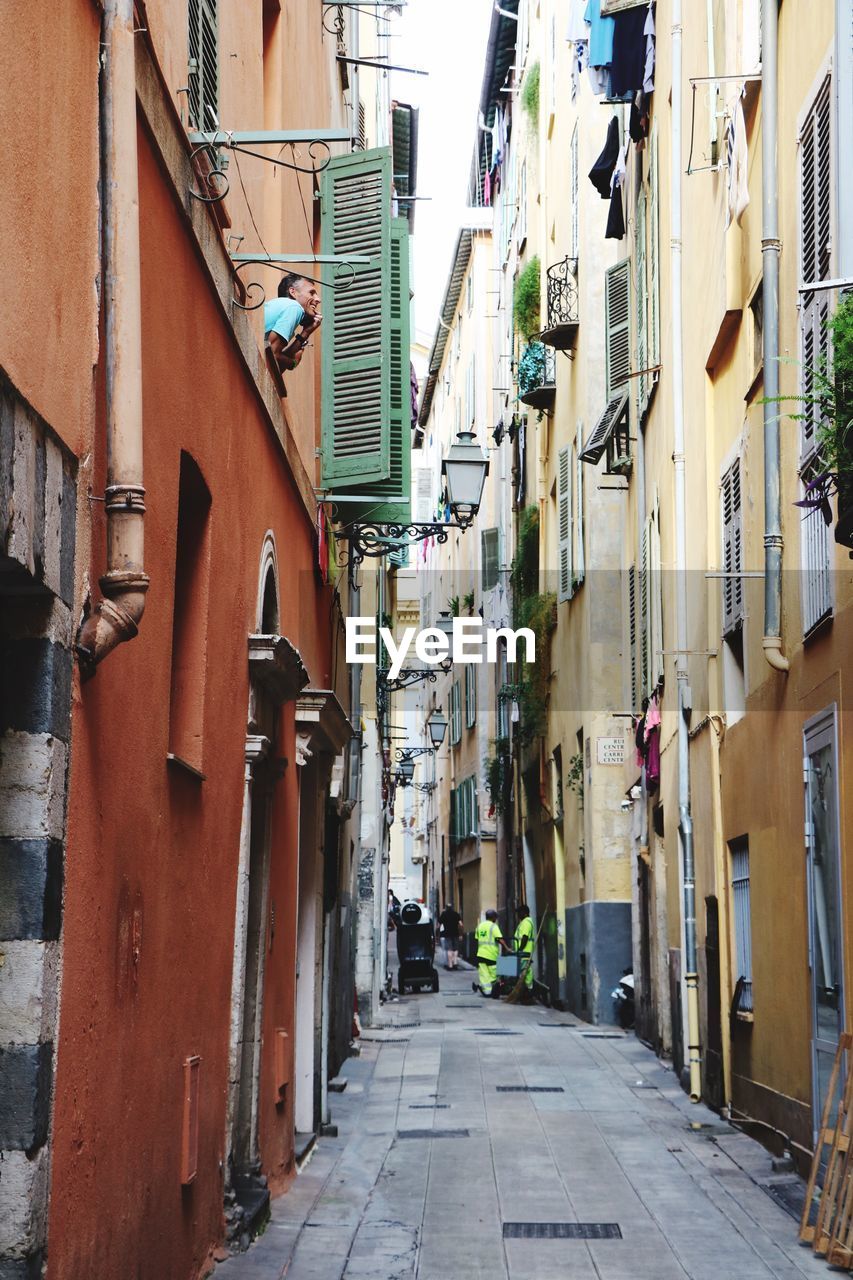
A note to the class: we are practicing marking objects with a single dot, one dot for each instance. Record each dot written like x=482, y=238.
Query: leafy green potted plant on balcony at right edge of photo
x=832, y=403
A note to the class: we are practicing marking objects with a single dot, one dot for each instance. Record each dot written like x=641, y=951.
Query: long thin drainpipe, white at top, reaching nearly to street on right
x=685, y=697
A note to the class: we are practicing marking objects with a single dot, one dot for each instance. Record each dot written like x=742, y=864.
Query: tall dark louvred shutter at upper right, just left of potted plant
x=816, y=246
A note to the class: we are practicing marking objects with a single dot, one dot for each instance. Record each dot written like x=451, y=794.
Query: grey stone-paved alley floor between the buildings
x=464, y=1117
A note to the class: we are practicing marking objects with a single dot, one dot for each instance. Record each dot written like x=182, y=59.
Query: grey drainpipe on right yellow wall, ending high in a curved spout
x=770, y=252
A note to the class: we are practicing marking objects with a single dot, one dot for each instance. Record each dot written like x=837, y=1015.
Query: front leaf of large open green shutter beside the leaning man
x=357, y=331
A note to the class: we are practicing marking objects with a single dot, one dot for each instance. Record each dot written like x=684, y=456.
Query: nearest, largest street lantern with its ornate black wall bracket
x=466, y=470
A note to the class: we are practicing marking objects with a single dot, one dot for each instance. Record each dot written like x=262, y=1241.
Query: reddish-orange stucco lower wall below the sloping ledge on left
x=145, y=838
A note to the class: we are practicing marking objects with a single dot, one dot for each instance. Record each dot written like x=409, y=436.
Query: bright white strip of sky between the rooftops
x=446, y=39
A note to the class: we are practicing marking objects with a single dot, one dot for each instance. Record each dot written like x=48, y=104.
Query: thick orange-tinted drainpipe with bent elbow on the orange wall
x=117, y=616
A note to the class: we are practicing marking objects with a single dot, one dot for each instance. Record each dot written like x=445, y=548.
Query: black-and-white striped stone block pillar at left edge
x=38, y=520
